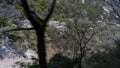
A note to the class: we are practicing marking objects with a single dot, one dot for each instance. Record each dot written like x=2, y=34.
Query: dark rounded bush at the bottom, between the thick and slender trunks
x=58, y=60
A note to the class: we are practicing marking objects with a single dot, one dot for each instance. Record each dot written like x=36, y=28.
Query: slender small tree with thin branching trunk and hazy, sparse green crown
x=81, y=27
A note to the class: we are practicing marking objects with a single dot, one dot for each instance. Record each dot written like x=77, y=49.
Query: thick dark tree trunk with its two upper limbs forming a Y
x=39, y=26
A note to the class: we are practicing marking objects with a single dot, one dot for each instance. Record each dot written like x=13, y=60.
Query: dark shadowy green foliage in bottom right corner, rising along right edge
x=111, y=59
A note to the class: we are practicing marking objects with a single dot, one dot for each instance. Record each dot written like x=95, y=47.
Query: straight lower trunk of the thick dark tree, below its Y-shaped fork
x=41, y=47
